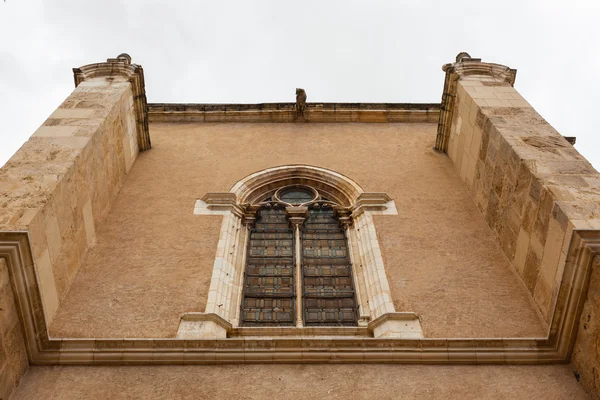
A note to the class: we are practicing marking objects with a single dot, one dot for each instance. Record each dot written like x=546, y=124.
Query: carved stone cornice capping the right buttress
x=464, y=66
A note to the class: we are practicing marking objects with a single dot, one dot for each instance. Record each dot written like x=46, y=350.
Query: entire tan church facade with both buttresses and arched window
x=262, y=250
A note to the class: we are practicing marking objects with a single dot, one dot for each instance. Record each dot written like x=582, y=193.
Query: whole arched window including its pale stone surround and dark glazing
x=298, y=247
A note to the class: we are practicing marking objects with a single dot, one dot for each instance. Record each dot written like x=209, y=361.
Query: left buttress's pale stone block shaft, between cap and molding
x=59, y=186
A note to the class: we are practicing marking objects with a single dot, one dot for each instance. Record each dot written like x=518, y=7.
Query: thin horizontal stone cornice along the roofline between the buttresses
x=286, y=112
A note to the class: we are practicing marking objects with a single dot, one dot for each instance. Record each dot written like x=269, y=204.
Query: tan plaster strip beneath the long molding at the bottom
x=301, y=382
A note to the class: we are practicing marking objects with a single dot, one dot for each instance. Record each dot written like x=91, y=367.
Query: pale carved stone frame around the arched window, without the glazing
x=377, y=314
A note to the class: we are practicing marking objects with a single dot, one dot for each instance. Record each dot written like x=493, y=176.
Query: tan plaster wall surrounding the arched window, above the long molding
x=154, y=257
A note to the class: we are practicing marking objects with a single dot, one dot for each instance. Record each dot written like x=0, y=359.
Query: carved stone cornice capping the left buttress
x=122, y=66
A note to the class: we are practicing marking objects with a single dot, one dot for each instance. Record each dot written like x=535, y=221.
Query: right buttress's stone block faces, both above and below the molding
x=534, y=189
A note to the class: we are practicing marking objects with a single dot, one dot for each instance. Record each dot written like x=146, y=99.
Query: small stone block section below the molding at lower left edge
x=13, y=355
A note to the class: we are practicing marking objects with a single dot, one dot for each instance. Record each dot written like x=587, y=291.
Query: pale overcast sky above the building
x=260, y=51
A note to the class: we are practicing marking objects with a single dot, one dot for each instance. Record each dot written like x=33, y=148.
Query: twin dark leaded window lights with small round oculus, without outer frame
x=298, y=270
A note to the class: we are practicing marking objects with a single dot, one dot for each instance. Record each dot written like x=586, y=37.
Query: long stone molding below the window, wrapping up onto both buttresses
x=556, y=348
